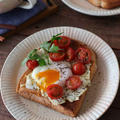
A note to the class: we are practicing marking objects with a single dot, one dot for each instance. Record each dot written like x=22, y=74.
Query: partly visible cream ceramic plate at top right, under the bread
x=83, y=6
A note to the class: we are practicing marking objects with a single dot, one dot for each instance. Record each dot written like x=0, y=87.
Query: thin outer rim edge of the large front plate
x=69, y=27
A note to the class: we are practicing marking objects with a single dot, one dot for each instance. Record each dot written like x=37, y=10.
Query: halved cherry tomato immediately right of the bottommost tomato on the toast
x=73, y=82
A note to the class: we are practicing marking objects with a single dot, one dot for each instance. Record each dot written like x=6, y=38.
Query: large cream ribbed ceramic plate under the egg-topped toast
x=100, y=94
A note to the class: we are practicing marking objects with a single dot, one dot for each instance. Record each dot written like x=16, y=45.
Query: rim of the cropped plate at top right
x=90, y=12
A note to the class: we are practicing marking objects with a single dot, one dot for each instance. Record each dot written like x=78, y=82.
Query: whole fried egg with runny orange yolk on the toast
x=43, y=76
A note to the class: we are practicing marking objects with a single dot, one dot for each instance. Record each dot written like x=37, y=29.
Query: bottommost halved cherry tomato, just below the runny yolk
x=54, y=91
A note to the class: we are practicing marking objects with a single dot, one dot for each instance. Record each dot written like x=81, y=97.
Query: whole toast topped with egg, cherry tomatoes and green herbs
x=59, y=74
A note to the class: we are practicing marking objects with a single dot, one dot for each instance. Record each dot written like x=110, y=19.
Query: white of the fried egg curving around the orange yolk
x=63, y=68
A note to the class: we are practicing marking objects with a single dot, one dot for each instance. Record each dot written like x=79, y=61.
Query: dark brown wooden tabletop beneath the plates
x=107, y=28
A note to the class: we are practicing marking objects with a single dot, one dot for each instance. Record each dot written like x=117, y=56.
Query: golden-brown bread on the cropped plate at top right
x=107, y=4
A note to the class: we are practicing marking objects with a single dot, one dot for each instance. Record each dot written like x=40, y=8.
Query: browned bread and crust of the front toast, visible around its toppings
x=68, y=108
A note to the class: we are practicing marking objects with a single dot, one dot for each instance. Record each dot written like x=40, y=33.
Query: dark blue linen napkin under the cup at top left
x=18, y=15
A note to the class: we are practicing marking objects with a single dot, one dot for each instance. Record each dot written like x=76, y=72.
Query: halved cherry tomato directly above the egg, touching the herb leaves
x=57, y=56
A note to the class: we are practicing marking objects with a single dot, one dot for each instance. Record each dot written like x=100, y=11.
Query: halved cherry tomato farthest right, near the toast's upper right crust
x=83, y=55
